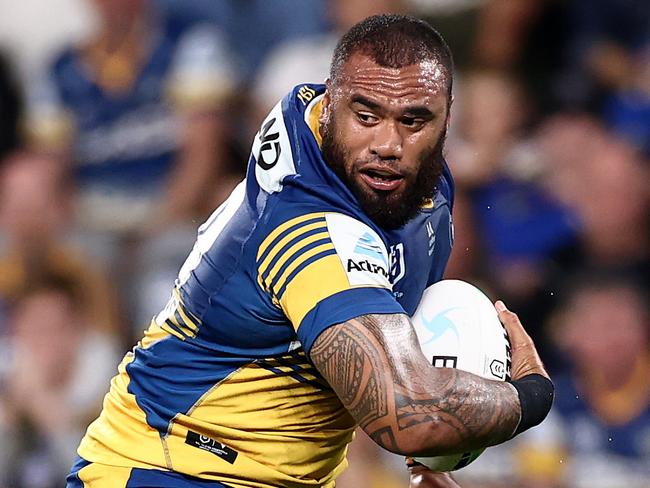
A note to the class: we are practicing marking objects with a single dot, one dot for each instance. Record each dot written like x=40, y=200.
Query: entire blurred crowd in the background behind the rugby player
x=123, y=123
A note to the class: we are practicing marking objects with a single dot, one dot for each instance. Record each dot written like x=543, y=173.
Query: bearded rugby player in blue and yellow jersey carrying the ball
x=288, y=325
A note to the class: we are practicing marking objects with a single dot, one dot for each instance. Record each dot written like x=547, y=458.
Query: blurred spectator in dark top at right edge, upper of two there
x=604, y=180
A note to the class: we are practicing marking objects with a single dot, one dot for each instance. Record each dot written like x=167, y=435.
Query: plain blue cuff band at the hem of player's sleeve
x=344, y=306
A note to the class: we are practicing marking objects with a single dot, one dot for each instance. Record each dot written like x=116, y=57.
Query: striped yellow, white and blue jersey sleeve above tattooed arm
x=322, y=269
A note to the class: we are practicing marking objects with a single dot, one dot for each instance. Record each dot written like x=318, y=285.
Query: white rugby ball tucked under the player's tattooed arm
x=458, y=327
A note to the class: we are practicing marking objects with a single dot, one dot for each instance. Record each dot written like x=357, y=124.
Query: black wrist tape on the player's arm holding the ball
x=536, y=394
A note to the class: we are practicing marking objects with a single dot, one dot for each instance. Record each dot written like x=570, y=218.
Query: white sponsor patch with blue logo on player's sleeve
x=361, y=250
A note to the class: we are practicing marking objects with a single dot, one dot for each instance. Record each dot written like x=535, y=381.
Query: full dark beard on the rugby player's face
x=388, y=209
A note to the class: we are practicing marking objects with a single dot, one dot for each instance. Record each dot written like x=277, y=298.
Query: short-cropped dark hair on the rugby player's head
x=393, y=41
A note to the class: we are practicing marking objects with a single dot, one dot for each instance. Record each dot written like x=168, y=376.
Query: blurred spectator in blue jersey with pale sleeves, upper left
x=144, y=107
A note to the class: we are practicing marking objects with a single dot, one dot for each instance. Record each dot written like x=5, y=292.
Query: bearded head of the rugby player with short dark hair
x=385, y=114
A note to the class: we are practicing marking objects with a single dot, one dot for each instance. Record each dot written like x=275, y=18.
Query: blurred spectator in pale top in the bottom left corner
x=57, y=373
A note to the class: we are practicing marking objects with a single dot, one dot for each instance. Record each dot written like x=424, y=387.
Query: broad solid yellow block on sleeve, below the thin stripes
x=319, y=280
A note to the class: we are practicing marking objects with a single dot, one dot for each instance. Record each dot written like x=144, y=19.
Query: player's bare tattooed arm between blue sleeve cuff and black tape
x=375, y=365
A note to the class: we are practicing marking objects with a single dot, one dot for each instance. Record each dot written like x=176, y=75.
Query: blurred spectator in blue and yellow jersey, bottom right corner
x=598, y=435
